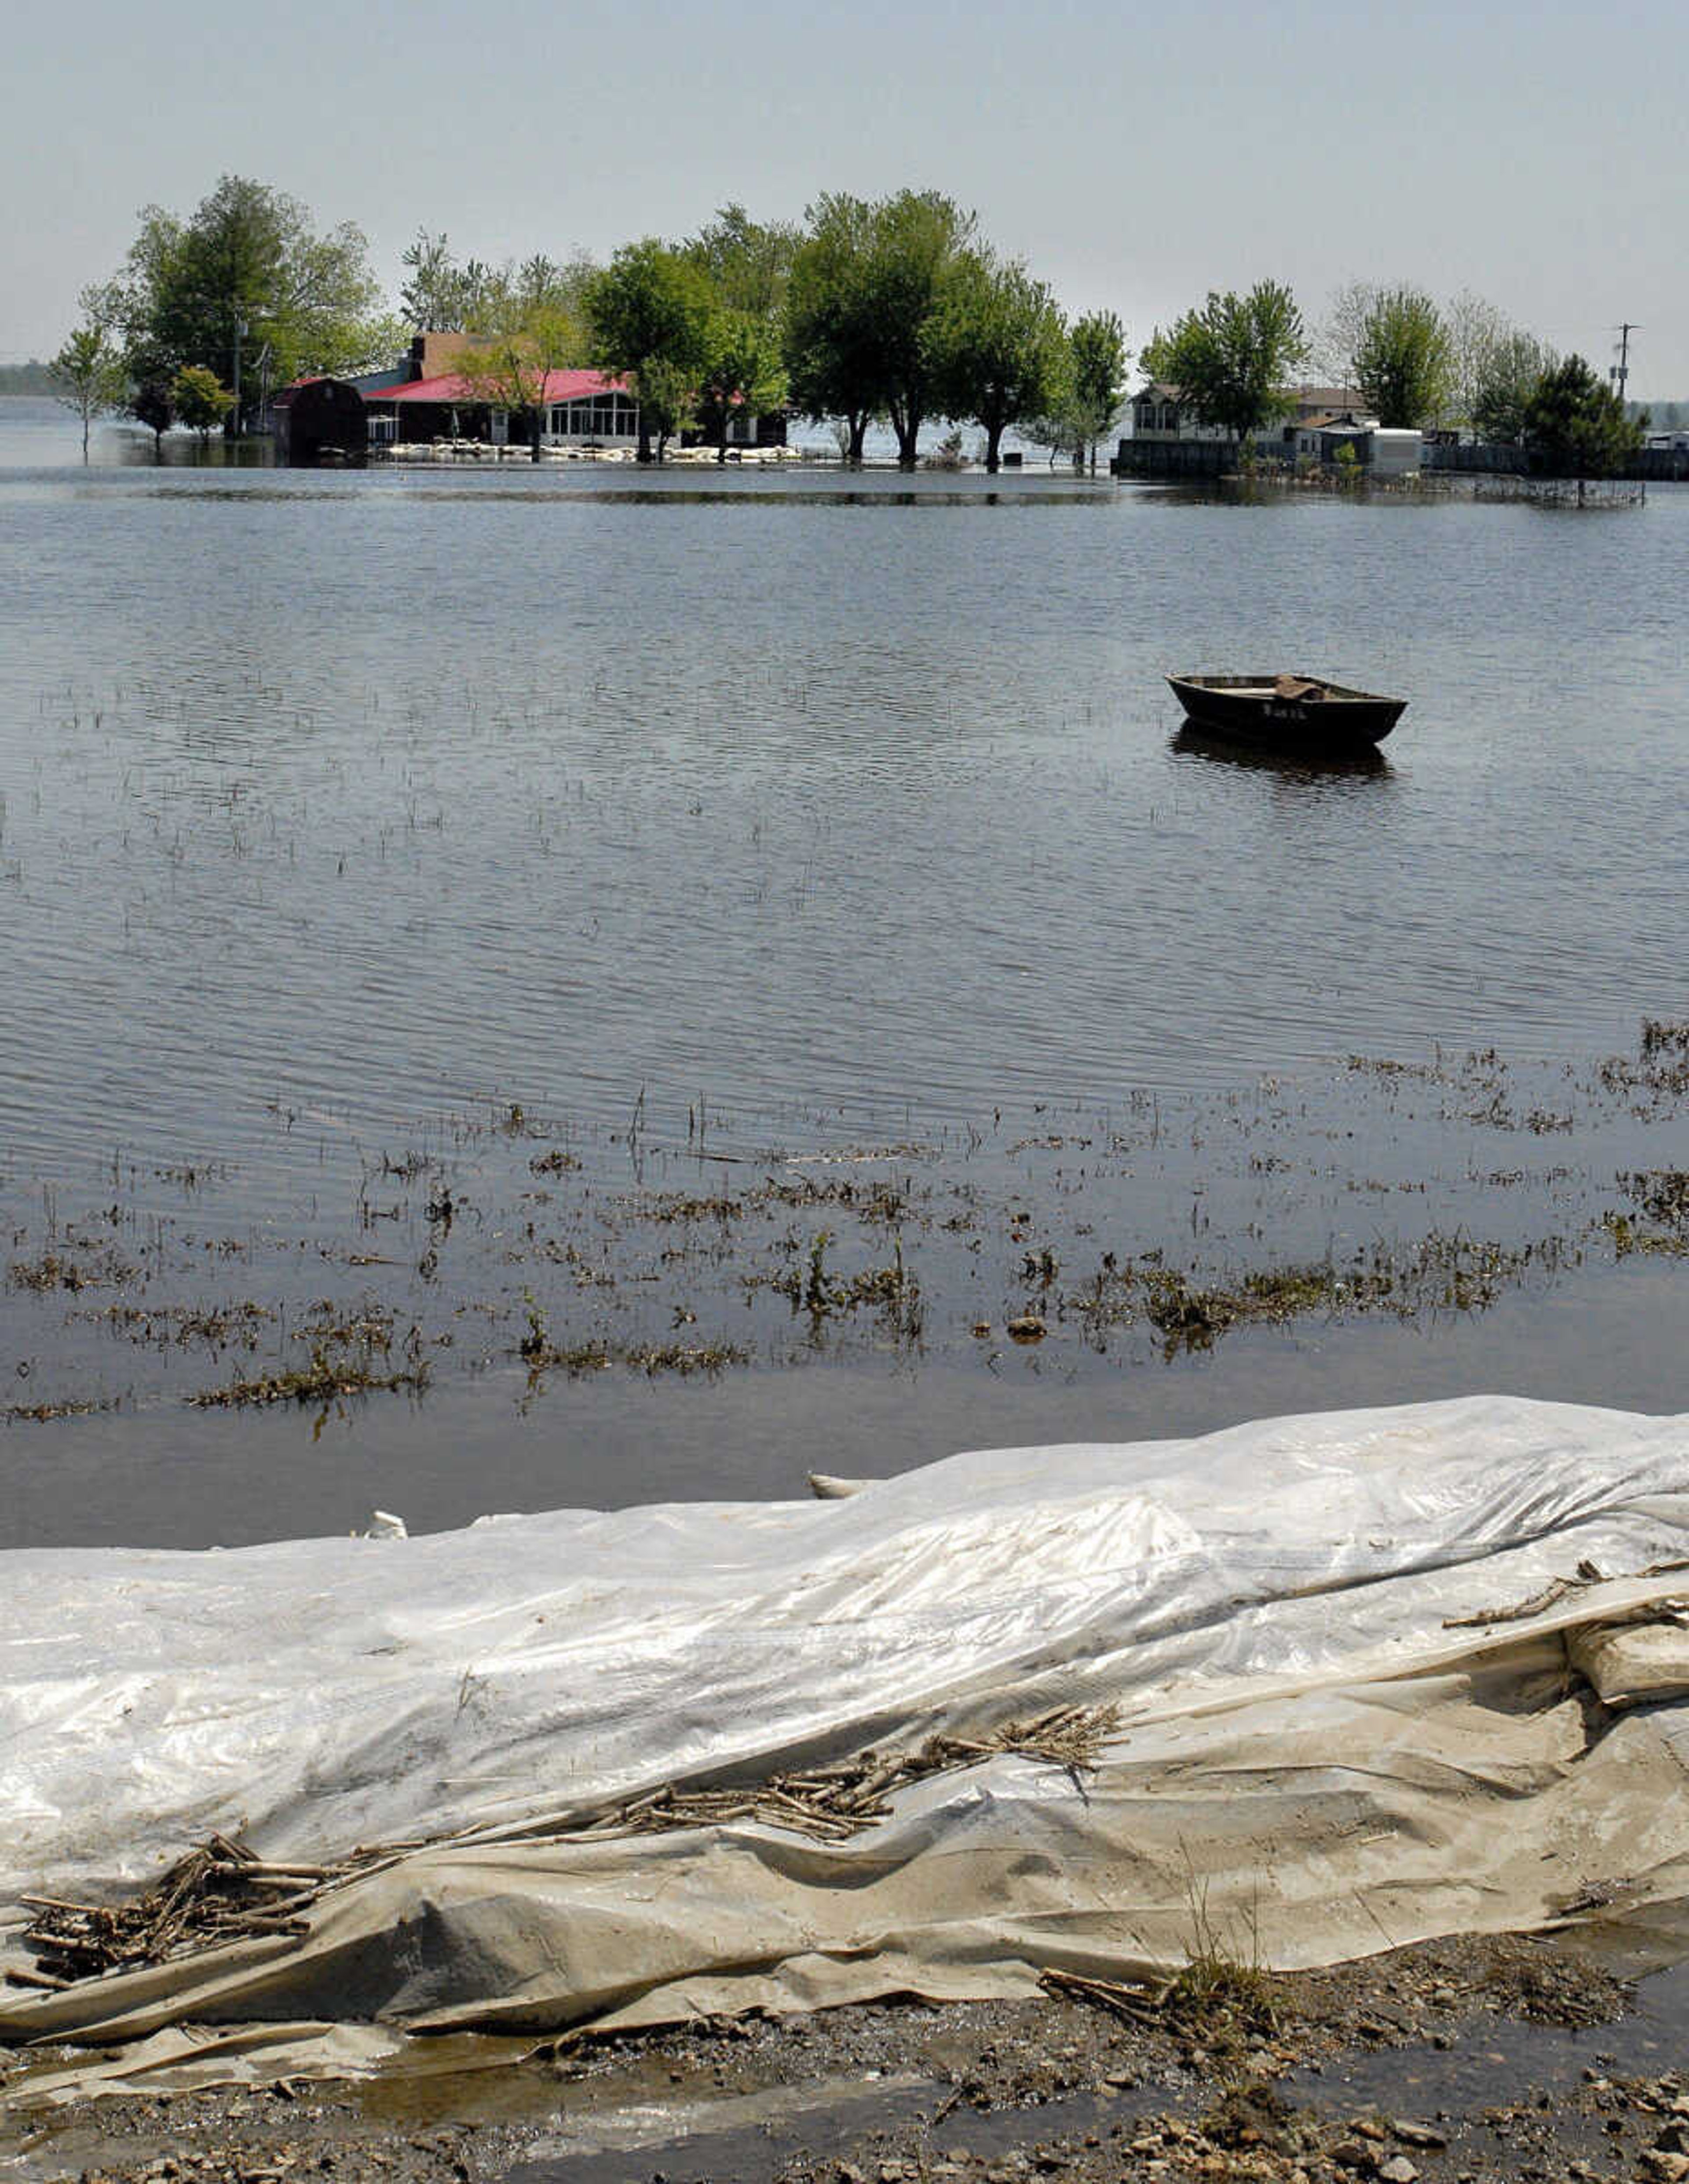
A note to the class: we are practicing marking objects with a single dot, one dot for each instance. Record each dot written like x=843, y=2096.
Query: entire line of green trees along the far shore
x=893, y=311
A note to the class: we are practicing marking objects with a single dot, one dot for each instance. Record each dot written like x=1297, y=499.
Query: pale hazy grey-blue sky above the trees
x=1135, y=156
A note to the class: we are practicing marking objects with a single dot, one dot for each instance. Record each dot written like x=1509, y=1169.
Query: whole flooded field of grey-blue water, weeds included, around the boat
x=534, y=990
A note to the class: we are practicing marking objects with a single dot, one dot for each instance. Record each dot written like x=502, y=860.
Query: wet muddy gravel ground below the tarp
x=1456, y=2061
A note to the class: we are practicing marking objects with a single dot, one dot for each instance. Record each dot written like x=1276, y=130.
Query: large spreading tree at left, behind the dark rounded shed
x=244, y=278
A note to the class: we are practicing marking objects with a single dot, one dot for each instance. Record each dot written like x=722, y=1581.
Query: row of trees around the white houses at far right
x=1410, y=361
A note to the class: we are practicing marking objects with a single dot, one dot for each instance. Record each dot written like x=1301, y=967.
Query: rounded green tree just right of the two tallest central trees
x=997, y=348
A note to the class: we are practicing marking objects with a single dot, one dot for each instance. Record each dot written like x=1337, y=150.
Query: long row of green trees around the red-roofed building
x=893, y=309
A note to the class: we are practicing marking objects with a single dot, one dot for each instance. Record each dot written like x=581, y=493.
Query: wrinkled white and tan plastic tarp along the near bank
x=1306, y=1746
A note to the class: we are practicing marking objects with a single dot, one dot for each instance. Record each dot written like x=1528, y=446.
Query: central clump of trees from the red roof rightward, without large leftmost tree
x=893, y=309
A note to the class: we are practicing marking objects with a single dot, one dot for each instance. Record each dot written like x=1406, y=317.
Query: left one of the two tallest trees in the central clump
x=831, y=327
